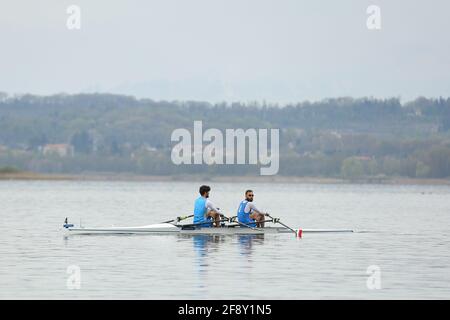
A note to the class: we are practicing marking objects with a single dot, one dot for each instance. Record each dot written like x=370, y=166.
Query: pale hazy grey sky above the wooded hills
x=277, y=50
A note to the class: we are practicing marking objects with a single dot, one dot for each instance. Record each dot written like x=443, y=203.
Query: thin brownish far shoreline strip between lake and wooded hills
x=31, y=176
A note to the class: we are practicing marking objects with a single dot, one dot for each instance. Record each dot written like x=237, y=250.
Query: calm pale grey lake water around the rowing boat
x=403, y=232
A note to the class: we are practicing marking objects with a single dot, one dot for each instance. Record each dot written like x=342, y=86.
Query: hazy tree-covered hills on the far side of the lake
x=341, y=137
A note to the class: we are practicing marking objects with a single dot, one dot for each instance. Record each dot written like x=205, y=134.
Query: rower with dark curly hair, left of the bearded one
x=205, y=211
